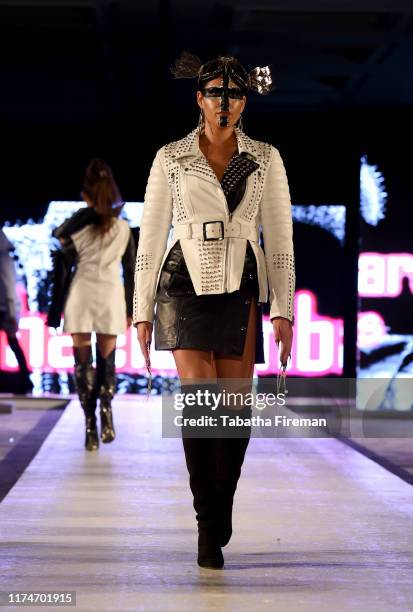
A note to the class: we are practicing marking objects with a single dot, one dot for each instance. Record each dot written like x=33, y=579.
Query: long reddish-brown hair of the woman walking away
x=103, y=192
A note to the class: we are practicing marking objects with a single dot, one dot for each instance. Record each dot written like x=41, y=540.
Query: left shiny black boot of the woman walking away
x=86, y=389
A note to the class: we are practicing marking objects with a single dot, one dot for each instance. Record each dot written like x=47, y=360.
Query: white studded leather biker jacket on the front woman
x=184, y=192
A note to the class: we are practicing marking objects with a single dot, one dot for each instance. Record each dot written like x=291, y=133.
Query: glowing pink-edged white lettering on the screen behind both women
x=317, y=345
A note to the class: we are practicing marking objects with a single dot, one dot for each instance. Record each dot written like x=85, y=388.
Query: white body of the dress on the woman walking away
x=96, y=300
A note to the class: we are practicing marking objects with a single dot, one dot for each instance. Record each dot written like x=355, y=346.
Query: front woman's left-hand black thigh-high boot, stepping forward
x=200, y=461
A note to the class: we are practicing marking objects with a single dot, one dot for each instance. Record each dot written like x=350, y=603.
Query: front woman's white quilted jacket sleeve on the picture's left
x=154, y=231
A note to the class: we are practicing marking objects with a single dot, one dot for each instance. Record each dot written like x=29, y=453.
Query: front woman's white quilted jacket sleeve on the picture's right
x=276, y=222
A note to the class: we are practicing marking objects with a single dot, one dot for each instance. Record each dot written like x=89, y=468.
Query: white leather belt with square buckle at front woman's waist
x=215, y=230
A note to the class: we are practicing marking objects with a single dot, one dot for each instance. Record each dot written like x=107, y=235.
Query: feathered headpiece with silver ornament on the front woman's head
x=189, y=66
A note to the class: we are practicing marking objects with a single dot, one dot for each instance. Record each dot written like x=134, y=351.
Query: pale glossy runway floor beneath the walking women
x=317, y=525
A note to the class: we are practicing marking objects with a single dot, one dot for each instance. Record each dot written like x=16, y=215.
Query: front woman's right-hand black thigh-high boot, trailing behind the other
x=230, y=453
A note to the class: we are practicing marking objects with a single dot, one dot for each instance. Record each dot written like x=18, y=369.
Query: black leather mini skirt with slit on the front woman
x=215, y=322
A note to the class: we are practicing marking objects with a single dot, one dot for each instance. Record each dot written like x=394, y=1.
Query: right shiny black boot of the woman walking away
x=106, y=386
